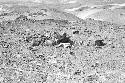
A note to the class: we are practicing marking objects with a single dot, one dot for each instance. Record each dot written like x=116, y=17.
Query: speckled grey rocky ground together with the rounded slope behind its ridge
x=50, y=46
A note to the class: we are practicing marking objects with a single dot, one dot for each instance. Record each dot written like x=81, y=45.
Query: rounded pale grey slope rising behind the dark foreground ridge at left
x=38, y=11
